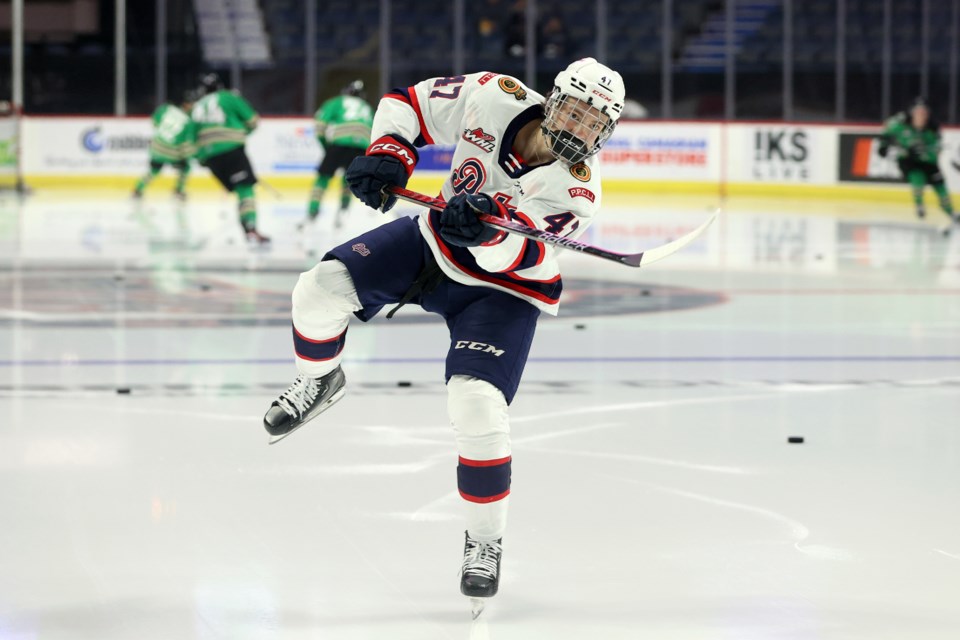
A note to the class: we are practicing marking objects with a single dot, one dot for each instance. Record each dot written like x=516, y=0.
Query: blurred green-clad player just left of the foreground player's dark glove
x=343, y=131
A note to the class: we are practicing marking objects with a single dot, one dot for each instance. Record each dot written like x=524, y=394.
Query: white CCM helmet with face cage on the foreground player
x=582, y=110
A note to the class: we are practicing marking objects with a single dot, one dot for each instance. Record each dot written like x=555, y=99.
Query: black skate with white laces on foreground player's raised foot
x=305, y=399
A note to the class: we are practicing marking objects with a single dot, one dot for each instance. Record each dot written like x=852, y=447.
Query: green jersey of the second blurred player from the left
x=222, y=121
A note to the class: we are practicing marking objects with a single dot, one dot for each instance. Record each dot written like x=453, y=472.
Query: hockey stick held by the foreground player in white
x=629, y=259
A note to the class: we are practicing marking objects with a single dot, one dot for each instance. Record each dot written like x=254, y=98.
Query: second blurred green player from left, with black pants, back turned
x=223, y=119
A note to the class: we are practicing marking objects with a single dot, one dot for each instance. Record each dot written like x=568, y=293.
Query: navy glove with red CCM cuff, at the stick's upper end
x=389, y=162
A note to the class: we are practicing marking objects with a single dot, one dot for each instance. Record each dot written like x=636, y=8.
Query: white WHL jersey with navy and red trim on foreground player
x=481, y=114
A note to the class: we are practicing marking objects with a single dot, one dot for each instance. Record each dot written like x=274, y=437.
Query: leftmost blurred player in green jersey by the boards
x=172, y=143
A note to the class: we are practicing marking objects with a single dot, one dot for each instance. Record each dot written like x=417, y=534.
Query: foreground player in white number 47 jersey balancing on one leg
x=518, y=157
